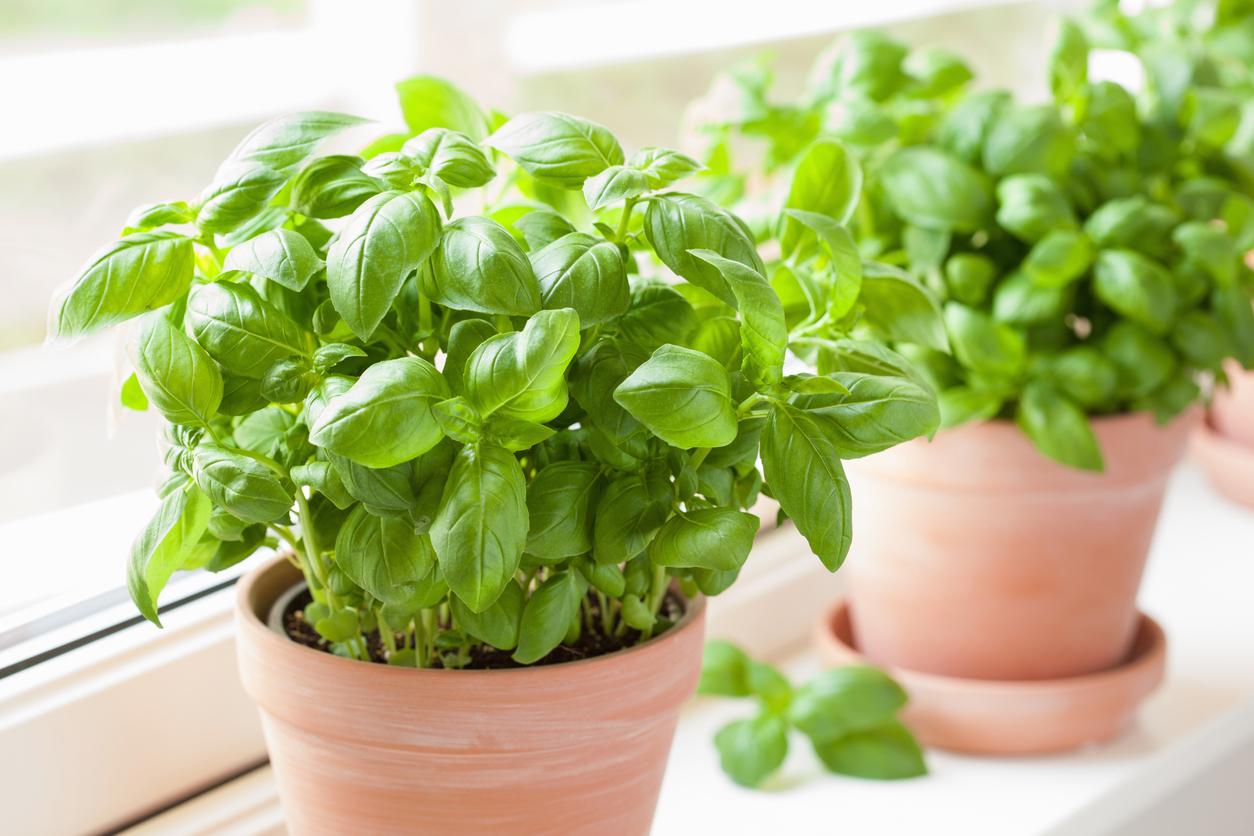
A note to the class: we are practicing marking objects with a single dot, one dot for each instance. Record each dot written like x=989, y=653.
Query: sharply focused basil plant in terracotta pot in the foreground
x=498, y=394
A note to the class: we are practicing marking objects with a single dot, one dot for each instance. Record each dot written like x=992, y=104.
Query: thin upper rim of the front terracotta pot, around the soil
x=259, y=631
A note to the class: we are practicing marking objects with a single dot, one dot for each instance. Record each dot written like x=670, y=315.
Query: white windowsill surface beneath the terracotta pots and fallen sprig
x=1202, y=719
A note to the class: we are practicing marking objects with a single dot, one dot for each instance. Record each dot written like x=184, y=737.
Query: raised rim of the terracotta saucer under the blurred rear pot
x=1146, y=655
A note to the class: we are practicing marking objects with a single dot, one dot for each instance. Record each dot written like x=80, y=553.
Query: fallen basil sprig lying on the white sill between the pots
x=850, y=715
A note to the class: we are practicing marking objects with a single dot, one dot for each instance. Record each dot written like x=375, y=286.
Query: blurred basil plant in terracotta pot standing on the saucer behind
x=1085, y=293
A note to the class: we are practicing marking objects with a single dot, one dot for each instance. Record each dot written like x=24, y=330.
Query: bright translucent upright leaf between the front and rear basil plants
x=827, y=181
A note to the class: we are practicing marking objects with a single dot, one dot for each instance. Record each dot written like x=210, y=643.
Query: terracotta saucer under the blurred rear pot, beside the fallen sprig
x=1026, y=718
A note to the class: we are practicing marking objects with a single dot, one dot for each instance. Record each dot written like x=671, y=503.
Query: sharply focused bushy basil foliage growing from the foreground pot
x=492, y=385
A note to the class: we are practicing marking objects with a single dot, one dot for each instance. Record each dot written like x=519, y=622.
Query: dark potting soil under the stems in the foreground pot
x=483, y=657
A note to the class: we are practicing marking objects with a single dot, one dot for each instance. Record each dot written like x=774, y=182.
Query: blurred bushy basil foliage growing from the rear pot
x=1074, y=245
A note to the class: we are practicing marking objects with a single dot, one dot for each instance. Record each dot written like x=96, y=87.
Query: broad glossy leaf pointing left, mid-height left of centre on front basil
x=386, y=418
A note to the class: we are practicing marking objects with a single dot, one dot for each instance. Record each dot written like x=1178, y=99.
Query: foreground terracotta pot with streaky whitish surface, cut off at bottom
x=369, y=749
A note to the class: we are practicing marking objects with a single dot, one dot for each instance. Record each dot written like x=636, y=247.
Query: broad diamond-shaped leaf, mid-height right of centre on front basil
x=683, y=397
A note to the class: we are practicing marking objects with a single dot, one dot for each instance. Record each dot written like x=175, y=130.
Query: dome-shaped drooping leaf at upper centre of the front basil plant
x=481, y=268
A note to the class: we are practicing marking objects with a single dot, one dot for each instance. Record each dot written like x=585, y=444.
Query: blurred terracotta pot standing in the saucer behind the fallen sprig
x=977, y=557
